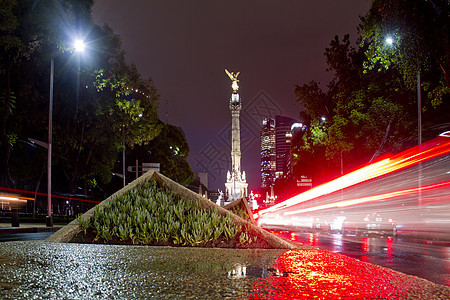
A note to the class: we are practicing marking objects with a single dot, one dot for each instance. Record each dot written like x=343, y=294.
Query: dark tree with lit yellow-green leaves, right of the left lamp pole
x=116, y=109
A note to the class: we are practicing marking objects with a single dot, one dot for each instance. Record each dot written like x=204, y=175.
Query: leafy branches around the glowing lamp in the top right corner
x=419, y=42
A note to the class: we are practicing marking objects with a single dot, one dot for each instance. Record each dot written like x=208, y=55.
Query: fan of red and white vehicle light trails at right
x=407, y=192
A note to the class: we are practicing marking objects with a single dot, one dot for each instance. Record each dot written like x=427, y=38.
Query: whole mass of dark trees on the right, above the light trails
x=370, y=106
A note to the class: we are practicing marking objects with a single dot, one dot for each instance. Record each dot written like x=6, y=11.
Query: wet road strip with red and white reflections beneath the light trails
x=425, y=259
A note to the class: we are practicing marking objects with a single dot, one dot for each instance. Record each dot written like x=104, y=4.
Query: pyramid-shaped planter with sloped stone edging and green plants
x=156, y=211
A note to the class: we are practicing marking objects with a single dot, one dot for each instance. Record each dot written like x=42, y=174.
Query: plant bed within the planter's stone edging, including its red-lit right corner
x=150, y=214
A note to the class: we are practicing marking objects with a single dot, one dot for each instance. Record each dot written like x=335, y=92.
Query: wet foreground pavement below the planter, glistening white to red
x=39, y=269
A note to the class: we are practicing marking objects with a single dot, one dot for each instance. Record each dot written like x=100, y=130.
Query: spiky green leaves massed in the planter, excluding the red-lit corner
x=149, y=214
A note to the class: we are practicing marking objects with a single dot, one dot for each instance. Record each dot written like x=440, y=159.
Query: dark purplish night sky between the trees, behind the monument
x=184, y=46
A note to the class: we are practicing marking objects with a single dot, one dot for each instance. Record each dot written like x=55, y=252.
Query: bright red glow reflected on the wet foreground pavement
x=316, y=274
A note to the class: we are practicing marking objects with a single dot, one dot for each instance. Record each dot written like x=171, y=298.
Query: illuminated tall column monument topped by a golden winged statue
x=236, y=185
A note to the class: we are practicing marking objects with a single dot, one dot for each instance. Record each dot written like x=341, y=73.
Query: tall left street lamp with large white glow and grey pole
x=78, y=46
